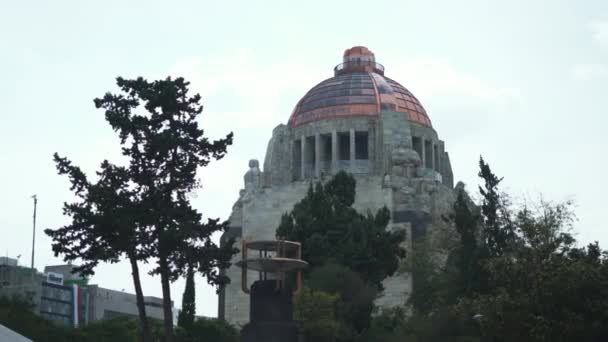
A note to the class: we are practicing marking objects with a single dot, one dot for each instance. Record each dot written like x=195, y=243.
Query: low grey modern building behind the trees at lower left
x=68, y=299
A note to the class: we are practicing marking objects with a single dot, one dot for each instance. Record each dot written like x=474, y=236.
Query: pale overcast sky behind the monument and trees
x=523, y=83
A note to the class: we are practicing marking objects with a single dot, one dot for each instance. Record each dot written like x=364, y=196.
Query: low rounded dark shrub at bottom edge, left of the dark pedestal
x=212, y=330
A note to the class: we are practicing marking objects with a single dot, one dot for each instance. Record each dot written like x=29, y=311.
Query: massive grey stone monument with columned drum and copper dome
x=363, y=122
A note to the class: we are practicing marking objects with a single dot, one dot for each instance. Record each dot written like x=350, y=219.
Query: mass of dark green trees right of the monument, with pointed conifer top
x=516, y=275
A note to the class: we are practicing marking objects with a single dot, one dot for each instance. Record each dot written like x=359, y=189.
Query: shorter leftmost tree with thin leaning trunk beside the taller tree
x=105, y=225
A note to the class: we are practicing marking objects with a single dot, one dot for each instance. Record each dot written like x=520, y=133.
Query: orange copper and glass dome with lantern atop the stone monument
x=358, y=89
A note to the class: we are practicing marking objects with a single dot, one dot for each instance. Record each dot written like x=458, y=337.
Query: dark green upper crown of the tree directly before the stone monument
x=331, y=230
